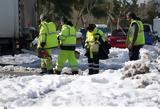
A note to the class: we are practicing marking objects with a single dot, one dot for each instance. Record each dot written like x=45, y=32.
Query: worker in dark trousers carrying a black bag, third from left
x=92, y=44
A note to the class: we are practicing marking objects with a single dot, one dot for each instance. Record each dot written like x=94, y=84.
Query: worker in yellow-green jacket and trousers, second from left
x=67, y=40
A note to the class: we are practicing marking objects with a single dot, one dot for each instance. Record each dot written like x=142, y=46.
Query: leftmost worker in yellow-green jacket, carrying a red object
x=47, y=41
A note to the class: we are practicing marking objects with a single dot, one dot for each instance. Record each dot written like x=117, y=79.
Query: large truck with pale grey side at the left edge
x=17, y=23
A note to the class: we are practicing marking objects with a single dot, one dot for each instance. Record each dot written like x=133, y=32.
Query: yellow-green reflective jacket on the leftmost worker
x=48, y=35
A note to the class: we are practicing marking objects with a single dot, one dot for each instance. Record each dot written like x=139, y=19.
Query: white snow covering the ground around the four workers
x=119, y=83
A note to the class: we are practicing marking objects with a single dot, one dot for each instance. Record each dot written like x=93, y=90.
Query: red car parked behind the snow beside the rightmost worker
x=118, y=38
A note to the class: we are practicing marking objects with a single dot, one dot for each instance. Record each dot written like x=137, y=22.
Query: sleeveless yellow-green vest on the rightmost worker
x=140, y=38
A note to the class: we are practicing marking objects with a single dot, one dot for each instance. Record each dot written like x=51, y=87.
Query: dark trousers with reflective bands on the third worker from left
x=93, y=64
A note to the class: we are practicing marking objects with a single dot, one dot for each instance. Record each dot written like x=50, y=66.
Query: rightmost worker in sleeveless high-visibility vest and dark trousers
x=135, y=37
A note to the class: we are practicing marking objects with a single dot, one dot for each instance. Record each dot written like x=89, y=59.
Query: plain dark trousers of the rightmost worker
x=134, y=52
